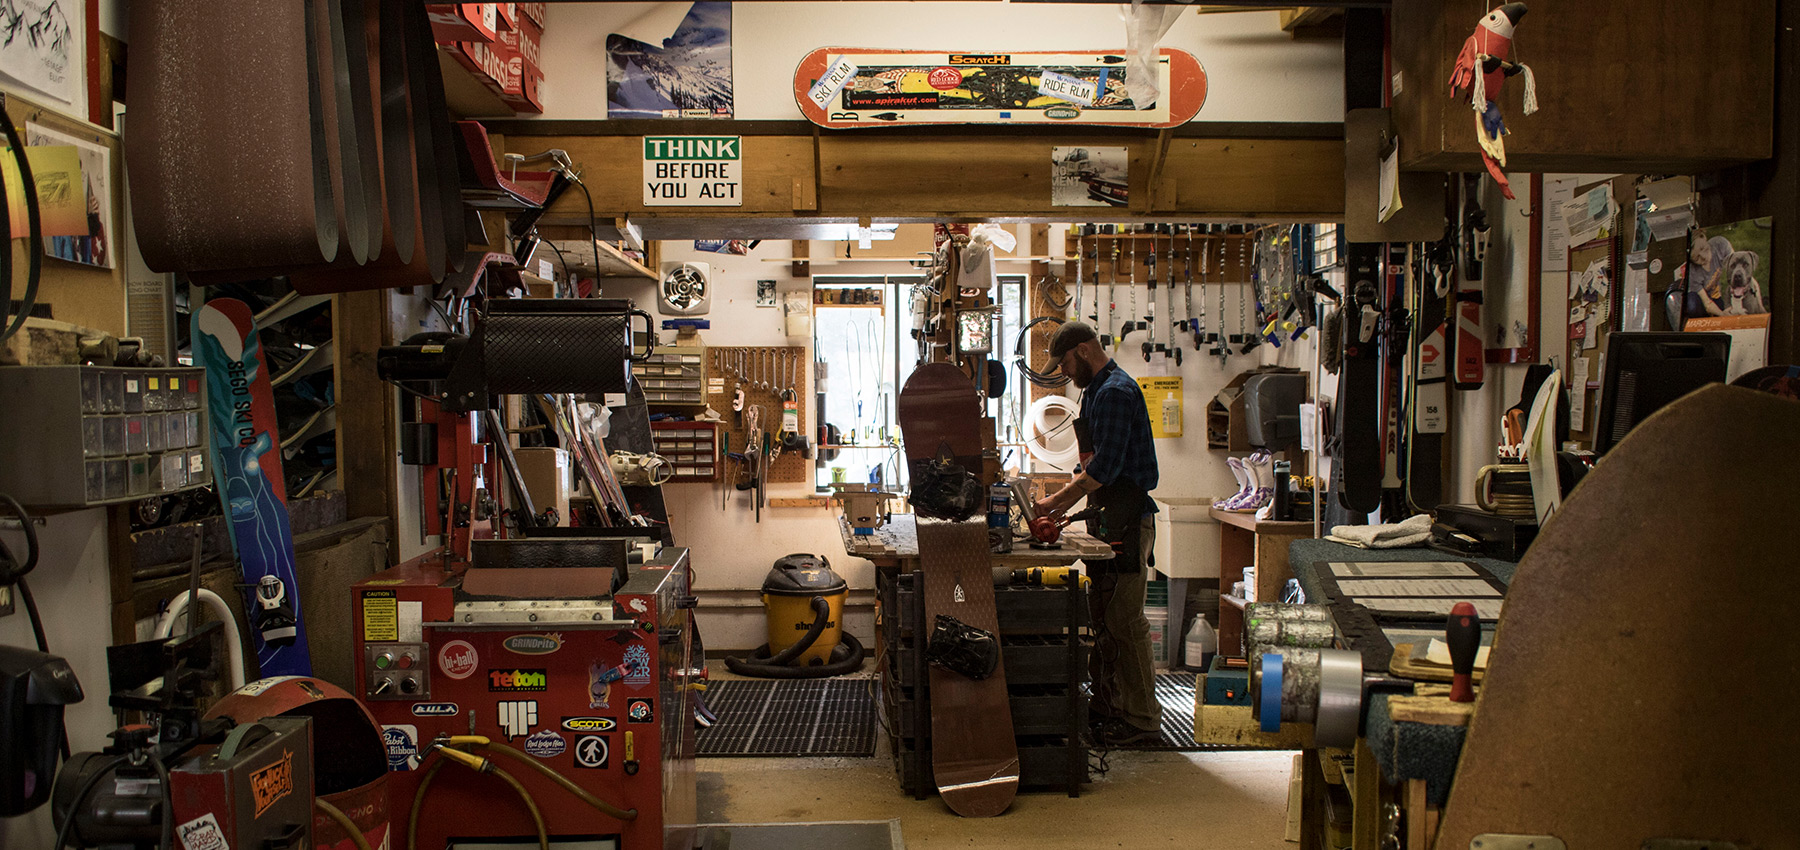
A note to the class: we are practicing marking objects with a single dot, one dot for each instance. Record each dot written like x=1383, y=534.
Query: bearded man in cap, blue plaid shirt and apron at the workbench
x=1117, y=476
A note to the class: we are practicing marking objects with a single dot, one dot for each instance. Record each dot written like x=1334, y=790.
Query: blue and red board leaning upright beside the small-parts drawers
x=246, y=451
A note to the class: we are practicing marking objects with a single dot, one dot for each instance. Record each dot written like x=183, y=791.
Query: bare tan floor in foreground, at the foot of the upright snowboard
x=1214, y=800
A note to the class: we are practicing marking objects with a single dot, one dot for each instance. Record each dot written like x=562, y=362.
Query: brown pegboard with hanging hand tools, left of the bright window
x=762, y=372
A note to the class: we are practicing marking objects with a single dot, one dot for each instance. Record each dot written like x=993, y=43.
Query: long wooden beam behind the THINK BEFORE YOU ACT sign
x=901, y=177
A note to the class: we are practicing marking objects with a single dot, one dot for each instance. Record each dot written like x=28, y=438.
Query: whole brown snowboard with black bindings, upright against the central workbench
x=975, y=757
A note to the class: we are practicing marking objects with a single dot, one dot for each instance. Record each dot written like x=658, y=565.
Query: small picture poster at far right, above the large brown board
x=1725, y=269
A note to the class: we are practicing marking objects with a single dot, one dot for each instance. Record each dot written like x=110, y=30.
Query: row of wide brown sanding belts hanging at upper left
x=251, y=118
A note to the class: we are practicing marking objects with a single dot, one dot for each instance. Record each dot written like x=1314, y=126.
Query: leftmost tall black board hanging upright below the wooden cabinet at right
x=1360, y=413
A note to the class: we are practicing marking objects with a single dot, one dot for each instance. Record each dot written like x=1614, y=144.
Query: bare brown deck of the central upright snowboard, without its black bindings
x=975, y=757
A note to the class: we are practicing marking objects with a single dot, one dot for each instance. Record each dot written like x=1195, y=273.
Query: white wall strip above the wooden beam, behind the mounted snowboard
x=1255, y=71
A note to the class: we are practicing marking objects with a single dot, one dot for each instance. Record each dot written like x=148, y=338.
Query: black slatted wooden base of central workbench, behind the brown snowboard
x=1047, y=667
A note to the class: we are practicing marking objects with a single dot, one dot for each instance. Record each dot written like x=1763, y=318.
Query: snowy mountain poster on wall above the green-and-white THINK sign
x=683, y=77
